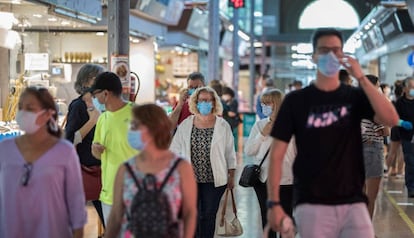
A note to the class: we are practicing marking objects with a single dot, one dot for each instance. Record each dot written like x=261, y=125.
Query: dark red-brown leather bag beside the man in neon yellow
x=92, y=185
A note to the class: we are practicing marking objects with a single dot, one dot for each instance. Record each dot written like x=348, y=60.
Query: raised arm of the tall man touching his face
x=385, y=112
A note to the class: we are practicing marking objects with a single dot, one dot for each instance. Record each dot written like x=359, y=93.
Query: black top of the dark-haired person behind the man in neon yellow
x=76, y=118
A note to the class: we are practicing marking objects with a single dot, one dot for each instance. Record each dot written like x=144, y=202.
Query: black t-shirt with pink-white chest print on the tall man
x=329, y=166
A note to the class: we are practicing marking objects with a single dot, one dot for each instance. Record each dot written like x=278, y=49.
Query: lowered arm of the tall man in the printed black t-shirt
x=275, y=213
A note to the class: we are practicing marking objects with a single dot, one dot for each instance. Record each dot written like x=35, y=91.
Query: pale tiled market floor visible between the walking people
x=394, y=217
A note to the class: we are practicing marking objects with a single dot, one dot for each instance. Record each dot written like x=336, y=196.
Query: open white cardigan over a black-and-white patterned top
x=222, y=153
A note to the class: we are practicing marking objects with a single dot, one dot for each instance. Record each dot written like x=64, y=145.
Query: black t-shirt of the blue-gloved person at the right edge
x=405, y=109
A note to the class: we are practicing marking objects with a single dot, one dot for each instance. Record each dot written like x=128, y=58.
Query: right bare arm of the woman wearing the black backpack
x=189, y=198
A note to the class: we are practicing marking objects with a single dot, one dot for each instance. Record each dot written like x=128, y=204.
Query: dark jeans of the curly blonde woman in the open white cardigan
x=208, y=202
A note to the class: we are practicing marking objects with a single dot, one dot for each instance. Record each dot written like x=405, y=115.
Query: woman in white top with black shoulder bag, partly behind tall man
x=258, y=145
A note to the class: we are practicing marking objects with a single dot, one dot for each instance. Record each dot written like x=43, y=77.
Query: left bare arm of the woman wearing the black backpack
x=113, y=226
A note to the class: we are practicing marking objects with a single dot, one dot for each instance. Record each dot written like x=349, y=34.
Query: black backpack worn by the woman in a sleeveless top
x=150, y=214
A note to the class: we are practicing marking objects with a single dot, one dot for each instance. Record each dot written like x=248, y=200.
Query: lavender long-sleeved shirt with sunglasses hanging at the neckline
x=53, y=202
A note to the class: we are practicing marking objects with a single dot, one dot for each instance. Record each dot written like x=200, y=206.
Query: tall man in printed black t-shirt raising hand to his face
x=328, y=171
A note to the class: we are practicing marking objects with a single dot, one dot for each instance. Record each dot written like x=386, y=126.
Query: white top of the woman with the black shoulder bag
x=257, y=145
